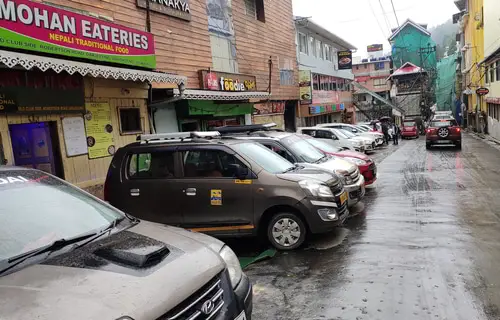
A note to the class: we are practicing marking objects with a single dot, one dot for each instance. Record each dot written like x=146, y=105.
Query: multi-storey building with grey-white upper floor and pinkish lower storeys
x=326, y=94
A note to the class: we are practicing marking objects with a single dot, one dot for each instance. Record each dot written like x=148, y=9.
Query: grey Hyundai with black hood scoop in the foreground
x=68, y=255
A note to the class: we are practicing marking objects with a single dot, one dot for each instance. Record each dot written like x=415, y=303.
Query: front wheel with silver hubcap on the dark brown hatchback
x=286, y=231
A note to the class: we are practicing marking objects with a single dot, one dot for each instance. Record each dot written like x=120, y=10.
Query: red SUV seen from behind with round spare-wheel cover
x=443, y=132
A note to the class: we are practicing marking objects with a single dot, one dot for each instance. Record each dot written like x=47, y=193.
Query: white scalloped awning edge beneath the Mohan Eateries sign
x=29, y=61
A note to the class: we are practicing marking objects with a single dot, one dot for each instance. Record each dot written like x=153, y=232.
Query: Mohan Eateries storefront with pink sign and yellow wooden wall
x=68, y=117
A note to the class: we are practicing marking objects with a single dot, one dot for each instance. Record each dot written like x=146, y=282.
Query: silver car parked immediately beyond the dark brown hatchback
x=295, y=149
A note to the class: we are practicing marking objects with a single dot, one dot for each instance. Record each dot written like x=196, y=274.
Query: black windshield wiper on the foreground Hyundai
x=58, y=245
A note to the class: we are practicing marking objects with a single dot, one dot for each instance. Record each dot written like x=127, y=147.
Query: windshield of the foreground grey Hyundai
x=55, y=210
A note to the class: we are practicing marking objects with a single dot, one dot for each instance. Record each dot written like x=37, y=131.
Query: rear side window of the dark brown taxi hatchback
x=156, y=165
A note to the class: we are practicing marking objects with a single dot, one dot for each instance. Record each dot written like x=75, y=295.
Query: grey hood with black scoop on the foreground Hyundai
x=81, y=284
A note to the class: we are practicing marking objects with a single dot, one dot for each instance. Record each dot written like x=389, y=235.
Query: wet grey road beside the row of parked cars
x=425, y=245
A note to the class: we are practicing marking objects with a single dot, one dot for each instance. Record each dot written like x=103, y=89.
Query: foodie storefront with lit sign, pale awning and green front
x=224, y=99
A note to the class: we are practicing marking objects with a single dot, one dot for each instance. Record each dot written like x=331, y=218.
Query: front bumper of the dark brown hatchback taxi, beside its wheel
x=309, y=209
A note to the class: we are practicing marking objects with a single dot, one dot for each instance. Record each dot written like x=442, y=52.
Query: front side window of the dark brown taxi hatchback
x=210, y=164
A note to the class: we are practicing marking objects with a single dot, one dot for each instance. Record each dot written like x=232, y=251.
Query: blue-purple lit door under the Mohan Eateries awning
x=33, y=146
